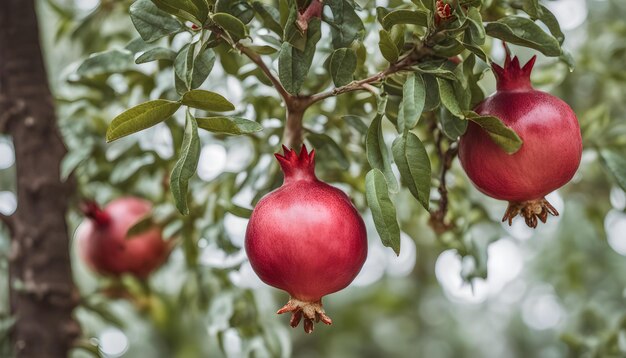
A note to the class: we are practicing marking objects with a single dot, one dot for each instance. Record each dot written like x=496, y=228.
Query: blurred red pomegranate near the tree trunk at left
x=103, y=245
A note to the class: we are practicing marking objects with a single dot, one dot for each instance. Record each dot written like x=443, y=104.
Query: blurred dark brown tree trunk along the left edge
x=42, y=294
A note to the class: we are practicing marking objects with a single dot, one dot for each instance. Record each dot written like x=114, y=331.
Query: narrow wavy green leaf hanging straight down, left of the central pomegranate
x=186, y=165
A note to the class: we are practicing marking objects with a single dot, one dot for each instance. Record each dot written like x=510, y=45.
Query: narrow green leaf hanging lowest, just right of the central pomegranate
x=383, y=210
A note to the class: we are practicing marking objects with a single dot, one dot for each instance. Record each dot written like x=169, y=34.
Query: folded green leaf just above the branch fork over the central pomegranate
x=293, y=64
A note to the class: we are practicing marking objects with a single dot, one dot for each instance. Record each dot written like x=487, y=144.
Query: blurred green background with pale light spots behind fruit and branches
x=496, y=291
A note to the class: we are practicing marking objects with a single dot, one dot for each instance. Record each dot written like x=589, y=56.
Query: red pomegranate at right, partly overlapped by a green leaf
x=550, y=153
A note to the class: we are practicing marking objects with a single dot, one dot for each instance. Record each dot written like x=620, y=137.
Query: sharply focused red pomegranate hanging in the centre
x=306, y=238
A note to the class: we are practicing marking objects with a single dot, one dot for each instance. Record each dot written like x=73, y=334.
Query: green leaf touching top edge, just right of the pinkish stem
x=346, y=26
